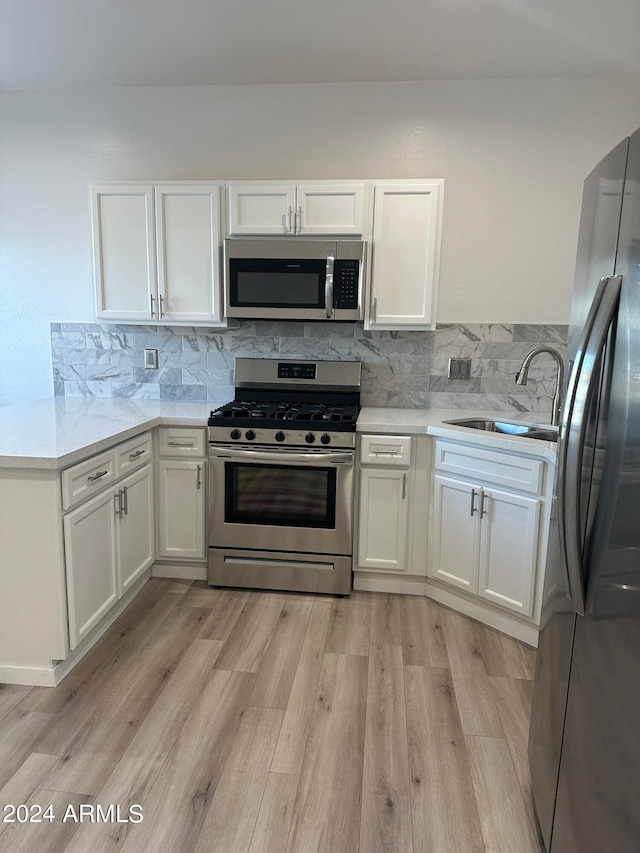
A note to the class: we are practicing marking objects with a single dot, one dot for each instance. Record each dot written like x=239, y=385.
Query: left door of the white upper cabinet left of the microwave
x=123, y=251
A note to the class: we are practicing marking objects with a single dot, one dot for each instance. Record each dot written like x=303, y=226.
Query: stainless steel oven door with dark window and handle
x=281, y=499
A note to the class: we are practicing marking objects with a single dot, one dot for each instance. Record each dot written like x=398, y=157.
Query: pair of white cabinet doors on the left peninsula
x=109, y=544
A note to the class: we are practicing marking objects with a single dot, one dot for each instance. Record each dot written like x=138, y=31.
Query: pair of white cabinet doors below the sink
x=485, y=541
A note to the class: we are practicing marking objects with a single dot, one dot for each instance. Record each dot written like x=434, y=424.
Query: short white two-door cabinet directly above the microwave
x=293, y=208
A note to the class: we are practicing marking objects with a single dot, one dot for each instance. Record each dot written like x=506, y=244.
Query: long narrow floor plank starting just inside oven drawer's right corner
x=295, y=727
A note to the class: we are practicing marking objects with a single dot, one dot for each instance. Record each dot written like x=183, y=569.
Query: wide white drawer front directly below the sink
x=504, y=469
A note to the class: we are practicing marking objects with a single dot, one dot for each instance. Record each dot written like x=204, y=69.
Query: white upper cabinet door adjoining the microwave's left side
x=188, y=243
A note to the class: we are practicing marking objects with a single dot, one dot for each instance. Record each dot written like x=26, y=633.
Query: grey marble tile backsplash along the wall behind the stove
x=399, y=369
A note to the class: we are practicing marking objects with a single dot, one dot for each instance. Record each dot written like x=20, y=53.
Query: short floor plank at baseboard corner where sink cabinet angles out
x=423, y=641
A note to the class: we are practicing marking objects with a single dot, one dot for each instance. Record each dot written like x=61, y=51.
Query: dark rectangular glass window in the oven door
x=280, y=494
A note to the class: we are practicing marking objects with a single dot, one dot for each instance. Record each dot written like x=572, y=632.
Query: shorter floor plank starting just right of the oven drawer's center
x=278, y=667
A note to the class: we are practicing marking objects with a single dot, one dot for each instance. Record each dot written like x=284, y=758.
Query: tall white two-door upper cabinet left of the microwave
x=157, y=252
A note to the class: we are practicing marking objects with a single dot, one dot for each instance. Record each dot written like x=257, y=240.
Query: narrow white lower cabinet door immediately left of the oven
x=181, y=509
